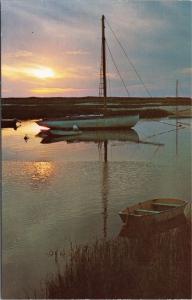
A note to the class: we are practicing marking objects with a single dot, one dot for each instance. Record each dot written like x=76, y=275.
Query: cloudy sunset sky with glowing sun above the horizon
x=52, y=48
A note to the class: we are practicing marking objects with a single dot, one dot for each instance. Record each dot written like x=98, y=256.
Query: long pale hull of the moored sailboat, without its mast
x=92, y=123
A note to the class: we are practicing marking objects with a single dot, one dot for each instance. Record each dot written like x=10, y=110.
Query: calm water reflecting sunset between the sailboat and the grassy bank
x=55, y=193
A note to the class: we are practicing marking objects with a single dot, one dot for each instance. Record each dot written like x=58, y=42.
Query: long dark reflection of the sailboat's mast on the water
x=105, y=191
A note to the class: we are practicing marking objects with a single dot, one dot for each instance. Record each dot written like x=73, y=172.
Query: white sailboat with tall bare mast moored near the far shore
x=93, y=122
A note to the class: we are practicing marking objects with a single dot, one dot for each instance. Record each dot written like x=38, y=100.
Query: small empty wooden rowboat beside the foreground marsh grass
x=152, y=211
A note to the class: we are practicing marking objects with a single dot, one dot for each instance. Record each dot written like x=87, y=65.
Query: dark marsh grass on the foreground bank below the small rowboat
x=152, y=267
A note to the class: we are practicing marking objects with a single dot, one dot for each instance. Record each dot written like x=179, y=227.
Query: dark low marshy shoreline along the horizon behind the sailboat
x=46, y=107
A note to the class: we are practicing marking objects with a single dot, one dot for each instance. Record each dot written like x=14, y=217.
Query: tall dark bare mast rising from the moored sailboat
x=104, y=63
